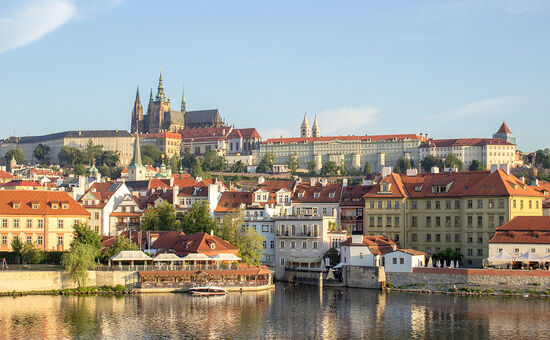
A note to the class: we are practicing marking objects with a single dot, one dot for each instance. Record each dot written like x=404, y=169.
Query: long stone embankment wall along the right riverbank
x=481, y=277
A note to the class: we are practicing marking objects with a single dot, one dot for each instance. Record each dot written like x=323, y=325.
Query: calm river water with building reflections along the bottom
x=288, y=312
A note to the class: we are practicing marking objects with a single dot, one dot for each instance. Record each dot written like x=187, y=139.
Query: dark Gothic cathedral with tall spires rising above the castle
x=160, y=117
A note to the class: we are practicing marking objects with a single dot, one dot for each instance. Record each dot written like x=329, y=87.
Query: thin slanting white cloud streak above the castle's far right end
x=486, y=106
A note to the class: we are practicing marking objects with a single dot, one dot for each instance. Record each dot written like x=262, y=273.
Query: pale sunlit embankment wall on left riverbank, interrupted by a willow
x=37, y=280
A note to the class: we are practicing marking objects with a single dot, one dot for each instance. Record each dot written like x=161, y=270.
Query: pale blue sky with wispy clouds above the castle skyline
x=447, y=68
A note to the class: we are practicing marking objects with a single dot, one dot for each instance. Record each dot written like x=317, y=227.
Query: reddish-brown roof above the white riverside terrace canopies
x=195, y=243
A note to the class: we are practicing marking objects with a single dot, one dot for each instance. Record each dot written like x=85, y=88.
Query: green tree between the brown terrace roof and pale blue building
x=248, y=240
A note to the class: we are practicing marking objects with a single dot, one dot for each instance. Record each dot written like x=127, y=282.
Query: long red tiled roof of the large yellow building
x=453, y=184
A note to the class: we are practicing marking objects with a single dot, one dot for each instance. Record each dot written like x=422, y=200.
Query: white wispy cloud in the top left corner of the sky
x=31, y=20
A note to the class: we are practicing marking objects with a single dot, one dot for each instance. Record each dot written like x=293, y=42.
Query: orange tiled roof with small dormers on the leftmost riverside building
x=45, y=200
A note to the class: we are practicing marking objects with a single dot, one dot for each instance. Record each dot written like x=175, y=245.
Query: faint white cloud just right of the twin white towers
x=346, y=120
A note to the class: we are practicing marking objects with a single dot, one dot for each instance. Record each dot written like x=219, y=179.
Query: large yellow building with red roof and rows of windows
x=431, y=212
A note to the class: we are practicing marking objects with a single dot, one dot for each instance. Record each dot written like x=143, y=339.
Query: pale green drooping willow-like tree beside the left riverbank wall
x=78, y=261
